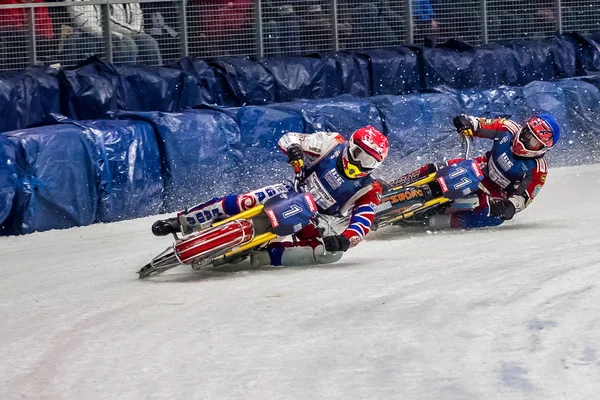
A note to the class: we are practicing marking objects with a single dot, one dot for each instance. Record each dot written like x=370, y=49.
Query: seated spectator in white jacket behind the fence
x=130, y=43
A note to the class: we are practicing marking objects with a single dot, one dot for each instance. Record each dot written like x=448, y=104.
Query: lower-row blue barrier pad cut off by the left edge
x=8, y=180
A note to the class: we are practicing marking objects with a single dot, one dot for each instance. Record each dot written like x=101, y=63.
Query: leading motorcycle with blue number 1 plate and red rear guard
x=233, y=239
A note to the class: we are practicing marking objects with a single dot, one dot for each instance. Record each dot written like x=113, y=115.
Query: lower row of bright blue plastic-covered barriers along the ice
x=142, y=163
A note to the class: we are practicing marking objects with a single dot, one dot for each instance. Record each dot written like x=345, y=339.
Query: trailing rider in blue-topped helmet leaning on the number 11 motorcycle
x=514, y=168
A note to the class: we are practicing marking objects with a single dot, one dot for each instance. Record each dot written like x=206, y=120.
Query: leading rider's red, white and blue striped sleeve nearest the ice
x=363, y=215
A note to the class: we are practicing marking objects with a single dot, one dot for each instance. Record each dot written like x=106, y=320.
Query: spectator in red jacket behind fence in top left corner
x=14, y=33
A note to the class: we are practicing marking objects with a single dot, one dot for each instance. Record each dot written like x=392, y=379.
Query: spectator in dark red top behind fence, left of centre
x=221, y=27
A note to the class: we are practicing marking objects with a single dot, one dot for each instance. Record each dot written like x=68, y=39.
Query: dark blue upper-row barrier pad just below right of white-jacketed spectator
x=143, y=88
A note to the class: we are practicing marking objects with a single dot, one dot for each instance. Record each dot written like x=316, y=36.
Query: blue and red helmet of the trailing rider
x=539, y=134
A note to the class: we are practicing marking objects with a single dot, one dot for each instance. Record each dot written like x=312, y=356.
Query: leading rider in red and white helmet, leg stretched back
x=337, y=174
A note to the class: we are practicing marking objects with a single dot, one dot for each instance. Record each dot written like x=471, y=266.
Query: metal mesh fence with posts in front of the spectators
x=160, y=32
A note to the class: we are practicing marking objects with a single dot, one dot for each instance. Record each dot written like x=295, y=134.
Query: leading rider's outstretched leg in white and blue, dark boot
x=203, y=215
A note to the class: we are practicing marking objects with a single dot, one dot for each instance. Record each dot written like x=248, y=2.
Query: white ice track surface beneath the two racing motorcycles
x=505, y=313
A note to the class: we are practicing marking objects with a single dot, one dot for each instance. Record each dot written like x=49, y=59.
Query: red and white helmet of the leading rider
x=366, y=149
